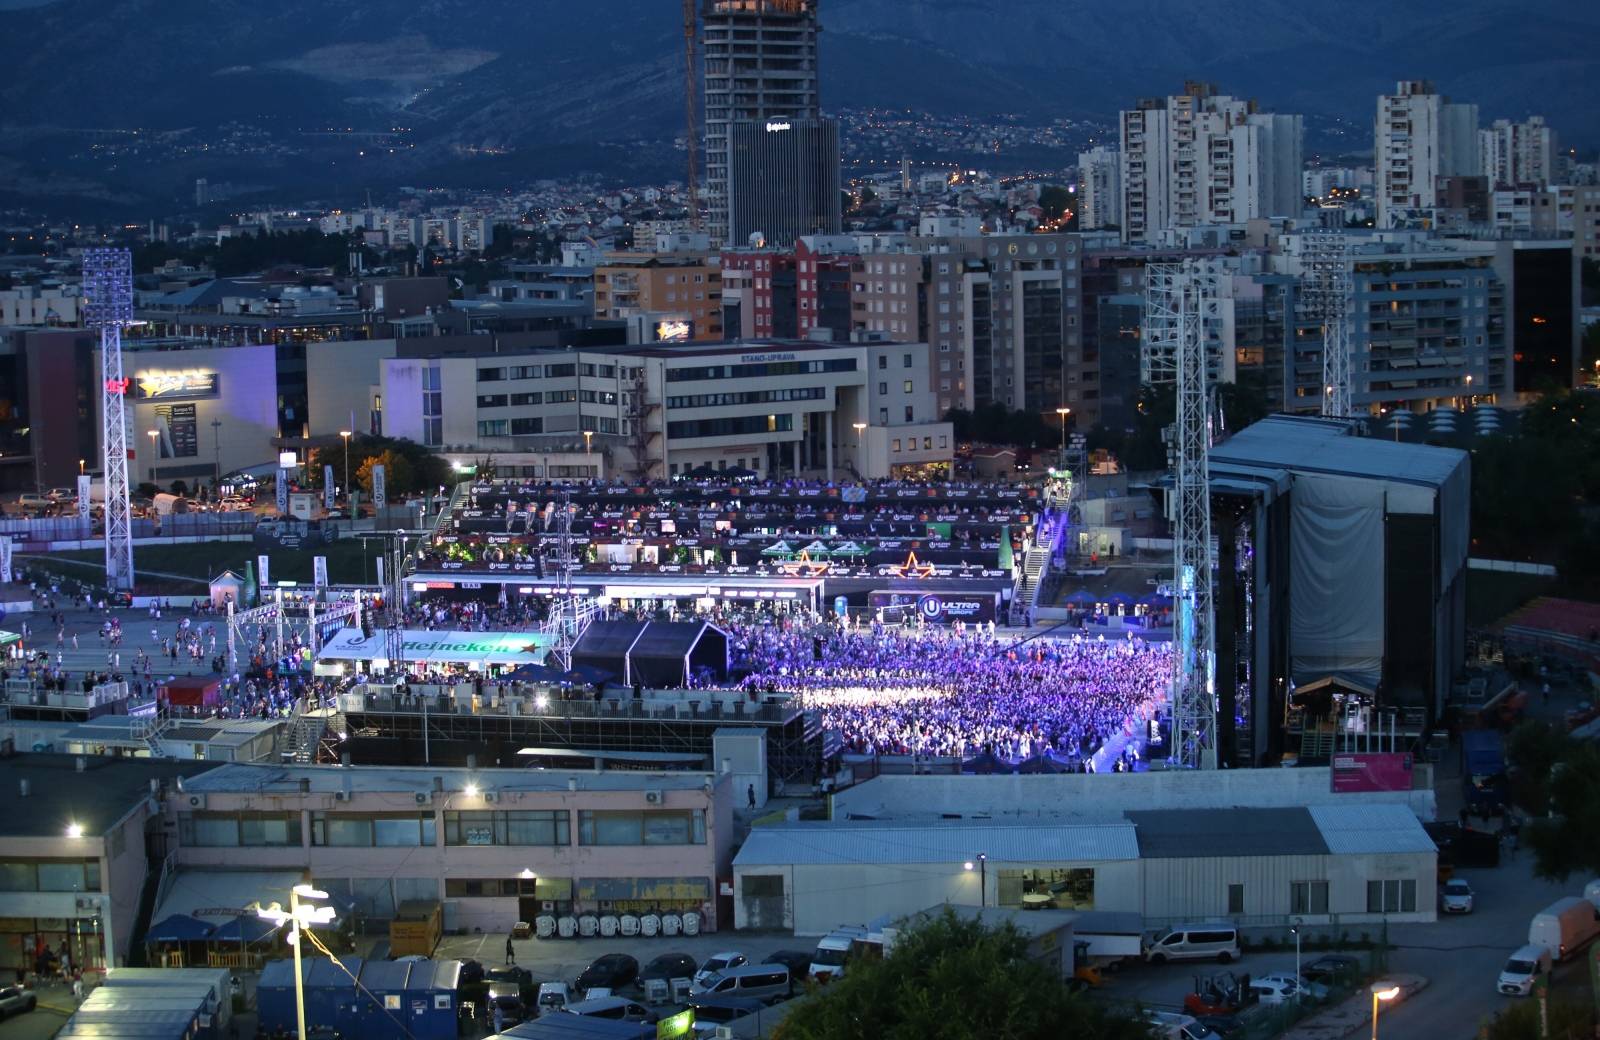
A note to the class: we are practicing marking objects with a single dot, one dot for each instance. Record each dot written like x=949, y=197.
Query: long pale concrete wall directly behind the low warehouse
x=1106, y=793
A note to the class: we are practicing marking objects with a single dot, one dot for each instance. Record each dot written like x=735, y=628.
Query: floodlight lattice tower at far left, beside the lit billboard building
x=108, y=306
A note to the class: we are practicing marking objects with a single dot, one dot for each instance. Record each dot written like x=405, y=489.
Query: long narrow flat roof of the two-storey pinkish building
x=241, y=778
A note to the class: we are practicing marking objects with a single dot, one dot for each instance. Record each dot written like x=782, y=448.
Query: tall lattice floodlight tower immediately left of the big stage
x=1188, y=300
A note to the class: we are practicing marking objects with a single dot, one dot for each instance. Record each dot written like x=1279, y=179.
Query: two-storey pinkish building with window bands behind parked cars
x=494, y=847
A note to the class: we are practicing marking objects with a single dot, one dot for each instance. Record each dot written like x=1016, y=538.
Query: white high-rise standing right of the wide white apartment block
x=1420, y=137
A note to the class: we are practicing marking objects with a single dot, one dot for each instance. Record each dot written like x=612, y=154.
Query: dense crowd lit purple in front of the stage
x=961, y=692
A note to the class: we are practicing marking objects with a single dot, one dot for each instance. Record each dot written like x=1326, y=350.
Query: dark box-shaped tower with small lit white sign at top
x=783, y=182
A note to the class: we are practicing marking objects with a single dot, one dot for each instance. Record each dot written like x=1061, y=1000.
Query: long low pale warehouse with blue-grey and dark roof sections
x=1329, y=865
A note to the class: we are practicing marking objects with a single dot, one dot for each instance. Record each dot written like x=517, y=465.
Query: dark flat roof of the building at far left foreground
x=95, y=799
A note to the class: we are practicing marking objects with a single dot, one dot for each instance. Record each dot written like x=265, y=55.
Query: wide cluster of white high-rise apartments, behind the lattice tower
x=1207, y=159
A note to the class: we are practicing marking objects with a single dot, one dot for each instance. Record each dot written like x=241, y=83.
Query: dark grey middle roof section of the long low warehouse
x=1188, y=834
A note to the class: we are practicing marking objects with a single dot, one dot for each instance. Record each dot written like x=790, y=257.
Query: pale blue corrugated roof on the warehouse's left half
x=798, y=844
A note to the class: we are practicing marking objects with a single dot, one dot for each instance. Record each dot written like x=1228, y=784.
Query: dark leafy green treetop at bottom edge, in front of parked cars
x=954, y=978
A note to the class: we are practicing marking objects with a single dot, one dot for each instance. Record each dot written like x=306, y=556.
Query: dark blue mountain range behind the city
x=522, y=89
